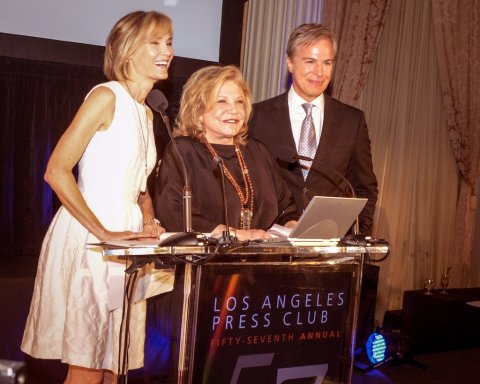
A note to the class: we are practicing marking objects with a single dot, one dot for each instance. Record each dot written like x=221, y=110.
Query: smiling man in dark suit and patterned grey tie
x=341, y=139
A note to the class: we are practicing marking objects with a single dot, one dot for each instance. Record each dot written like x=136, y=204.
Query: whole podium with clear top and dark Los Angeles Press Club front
x=260, y=313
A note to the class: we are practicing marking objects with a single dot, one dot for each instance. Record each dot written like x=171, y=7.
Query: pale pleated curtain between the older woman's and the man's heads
x=269, y=24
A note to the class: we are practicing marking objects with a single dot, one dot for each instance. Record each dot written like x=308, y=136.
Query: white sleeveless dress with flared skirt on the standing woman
x=70, y=318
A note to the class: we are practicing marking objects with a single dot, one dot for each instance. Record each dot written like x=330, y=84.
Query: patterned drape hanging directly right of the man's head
x=358, y=27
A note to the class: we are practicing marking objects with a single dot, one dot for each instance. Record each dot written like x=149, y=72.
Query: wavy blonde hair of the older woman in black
x=200, y=94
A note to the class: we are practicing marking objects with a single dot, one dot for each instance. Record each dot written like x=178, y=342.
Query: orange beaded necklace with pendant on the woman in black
x=246, y=198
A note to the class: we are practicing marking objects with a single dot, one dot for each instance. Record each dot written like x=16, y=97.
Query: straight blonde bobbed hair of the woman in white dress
x=126, y=36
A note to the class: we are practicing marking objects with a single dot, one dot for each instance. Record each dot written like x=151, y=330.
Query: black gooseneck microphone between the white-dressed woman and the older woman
x=158, y=102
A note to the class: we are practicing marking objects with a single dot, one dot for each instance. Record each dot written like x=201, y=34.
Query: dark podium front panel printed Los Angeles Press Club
x=271, y=323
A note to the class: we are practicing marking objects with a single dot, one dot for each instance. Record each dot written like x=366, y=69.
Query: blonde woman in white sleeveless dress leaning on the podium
x=111, y=139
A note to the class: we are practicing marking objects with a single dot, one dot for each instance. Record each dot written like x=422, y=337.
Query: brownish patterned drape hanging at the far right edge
x=457, y=38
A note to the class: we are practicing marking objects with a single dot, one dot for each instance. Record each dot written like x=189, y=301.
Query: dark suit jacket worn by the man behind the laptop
x=344, y=146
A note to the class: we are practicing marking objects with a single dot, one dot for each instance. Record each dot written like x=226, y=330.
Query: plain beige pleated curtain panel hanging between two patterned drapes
x=412, y=155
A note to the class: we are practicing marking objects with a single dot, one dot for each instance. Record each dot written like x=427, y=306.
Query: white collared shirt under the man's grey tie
x=297, y=114
